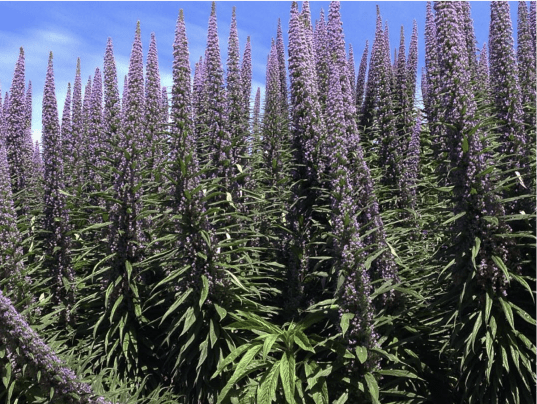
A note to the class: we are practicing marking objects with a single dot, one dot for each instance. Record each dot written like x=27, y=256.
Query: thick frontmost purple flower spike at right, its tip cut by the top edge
x=472, y=193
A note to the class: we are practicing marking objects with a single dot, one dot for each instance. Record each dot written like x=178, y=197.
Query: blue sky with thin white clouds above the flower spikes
x=72, y=29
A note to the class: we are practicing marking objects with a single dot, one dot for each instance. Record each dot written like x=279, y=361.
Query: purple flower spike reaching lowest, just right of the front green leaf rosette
x=354, y=293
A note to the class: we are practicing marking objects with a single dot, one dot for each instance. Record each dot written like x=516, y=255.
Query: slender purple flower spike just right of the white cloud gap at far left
x=56, y=217
